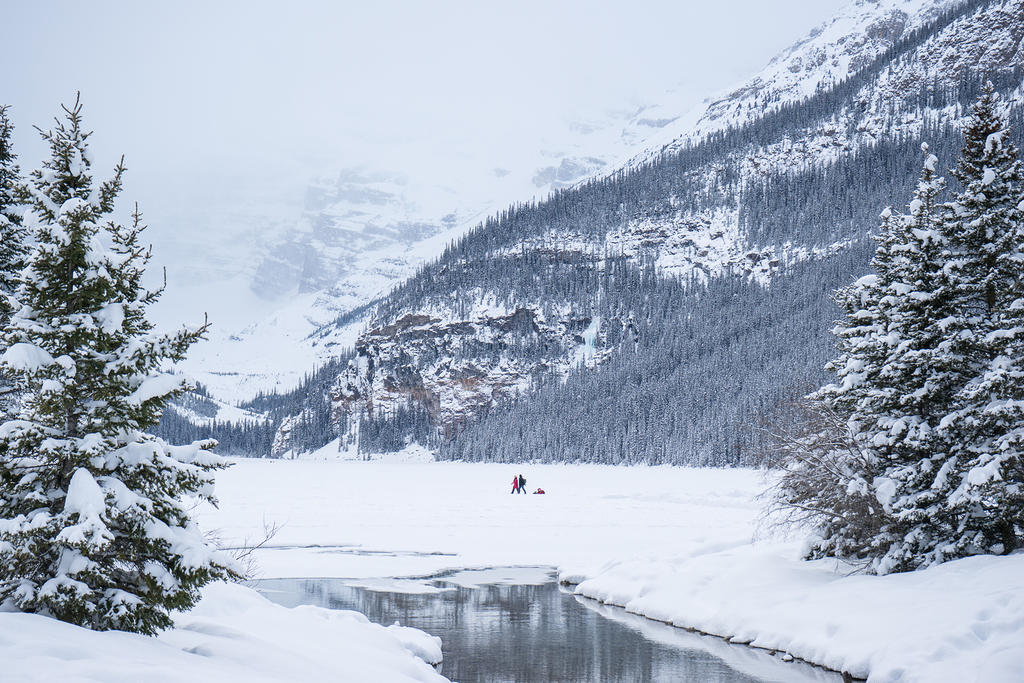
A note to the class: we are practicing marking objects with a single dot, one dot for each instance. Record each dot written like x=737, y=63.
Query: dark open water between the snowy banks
x=534, y=633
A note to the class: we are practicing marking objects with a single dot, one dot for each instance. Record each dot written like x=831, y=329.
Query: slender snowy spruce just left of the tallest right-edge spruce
x=920, y=390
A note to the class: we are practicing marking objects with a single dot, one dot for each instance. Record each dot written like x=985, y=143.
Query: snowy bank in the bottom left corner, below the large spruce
x=235, y=634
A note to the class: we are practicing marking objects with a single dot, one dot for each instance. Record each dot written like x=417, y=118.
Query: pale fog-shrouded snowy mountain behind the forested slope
x=366, y=230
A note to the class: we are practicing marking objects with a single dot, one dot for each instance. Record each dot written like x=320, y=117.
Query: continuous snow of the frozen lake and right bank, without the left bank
x=678, y=545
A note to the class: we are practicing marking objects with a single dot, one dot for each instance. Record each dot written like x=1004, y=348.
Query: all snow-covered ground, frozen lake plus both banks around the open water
x=684, y=546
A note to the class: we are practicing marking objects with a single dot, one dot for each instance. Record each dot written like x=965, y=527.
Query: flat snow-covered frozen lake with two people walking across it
x=335, y=518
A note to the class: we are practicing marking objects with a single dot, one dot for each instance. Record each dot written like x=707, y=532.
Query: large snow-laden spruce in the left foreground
x=94, y=529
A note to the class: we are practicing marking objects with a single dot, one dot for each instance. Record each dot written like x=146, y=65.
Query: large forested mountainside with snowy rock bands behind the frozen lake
x=737, y=211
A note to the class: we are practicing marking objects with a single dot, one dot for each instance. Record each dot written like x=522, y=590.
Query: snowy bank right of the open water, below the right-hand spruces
x=963, y=621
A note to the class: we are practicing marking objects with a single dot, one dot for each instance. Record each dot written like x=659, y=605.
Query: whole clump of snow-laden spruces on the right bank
x=931, y=375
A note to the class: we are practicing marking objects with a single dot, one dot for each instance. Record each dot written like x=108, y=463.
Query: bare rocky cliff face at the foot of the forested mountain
x=455, y=369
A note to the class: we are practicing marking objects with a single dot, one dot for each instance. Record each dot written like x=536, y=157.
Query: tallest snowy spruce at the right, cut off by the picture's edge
x=983, y=479
